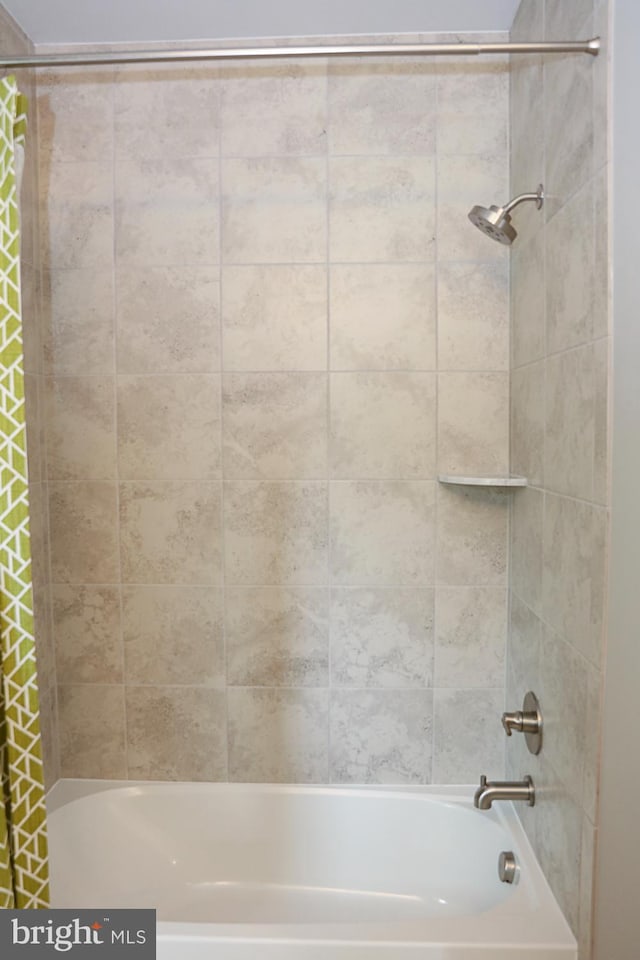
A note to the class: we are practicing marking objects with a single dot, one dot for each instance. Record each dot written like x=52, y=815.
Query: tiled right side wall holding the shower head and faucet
x=560, y=382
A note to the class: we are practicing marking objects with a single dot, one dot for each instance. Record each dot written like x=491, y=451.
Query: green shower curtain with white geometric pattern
x=24, y=880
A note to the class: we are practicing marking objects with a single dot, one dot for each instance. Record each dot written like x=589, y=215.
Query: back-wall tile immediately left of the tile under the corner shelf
x=382, y=533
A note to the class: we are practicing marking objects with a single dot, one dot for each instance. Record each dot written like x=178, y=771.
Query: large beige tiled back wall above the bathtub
x=270, y=325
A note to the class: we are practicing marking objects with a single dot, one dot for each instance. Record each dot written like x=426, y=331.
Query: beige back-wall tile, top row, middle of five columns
x=276, y=108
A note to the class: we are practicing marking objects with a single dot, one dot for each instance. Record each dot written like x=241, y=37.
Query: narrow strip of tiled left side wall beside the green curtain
x=14, y=43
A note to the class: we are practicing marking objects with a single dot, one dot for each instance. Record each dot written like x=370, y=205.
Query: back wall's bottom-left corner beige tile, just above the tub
x=92, y=732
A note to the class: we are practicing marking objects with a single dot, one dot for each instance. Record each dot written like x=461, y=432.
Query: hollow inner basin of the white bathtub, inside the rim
x=216, y=855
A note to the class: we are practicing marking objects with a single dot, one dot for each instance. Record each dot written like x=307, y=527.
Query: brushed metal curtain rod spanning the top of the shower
x=242, y=53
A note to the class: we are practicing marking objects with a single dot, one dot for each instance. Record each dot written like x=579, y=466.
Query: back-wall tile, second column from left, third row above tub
x=170, y=532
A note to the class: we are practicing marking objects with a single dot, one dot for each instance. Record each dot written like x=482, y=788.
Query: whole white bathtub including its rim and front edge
x=253, y=872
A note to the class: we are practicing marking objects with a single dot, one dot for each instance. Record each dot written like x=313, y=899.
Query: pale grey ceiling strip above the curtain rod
x=95, y=21
